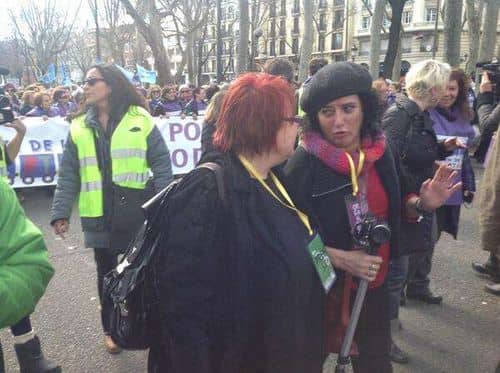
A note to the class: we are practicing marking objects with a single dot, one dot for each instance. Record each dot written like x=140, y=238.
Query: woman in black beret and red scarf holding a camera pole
x=341, y=153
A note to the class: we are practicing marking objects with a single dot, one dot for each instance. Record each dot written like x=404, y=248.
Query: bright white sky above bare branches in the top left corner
x=16, y=5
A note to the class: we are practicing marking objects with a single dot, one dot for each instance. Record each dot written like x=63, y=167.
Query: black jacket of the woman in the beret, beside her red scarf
x=321, y=192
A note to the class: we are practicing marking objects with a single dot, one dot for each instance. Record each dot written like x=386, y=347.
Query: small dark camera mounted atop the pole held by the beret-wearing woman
x=370, y=233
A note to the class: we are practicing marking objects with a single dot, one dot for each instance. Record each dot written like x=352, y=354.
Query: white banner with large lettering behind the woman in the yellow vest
x=38, y=161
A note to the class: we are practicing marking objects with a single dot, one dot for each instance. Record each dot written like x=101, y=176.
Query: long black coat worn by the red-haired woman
x=227, y=293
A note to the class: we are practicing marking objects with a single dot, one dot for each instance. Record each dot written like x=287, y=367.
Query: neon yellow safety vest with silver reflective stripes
x=128, y=158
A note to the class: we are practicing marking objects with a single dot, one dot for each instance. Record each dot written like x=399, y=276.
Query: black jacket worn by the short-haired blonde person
x=411, y=136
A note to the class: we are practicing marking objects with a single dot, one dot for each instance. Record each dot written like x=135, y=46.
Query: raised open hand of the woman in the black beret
x=436, y=191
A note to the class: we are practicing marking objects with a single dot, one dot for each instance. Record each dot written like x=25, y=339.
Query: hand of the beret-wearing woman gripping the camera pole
x=356, y=262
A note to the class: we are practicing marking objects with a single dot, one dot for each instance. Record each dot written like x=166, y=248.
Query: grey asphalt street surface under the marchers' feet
x=461, y=335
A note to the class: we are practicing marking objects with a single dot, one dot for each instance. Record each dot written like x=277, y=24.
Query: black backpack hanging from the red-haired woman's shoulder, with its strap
x=129, y=288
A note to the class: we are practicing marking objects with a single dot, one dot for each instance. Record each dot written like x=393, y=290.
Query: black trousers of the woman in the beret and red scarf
x=373, y=334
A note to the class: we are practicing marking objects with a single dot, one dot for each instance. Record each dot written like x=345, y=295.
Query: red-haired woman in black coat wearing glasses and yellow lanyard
x=238, y=288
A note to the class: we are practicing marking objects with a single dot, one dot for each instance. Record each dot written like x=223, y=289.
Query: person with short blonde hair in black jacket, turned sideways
x=409, y=130
